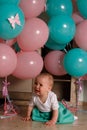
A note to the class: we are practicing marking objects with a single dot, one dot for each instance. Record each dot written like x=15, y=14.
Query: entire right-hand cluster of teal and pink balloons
x=65, y=26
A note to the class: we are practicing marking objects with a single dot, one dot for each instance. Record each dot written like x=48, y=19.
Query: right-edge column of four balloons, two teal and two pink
x=76, y=59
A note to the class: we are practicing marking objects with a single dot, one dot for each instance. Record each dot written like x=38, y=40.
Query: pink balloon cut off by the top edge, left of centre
x=32, y=8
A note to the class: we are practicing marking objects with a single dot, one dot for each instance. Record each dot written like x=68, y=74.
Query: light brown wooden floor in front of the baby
x=15, y=123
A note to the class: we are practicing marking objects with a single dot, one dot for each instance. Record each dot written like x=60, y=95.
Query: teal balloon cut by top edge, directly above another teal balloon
x=56, y=7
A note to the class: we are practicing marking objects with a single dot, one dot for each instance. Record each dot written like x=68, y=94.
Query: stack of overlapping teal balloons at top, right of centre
x=61, y=25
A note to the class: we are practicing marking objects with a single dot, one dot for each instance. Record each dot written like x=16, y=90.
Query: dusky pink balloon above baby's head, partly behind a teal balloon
x=53, y=63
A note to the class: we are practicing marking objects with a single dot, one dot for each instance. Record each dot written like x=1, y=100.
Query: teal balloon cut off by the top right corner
x=82, y=7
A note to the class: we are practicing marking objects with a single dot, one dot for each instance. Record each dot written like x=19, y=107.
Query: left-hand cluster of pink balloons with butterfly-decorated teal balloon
x=19, y=23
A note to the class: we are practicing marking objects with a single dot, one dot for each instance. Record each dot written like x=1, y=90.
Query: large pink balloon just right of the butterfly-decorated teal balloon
x=34, y=35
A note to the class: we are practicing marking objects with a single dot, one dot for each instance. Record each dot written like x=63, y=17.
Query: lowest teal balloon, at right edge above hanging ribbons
x=75, y=62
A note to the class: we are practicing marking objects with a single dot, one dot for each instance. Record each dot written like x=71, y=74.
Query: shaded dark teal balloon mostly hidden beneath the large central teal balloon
x=51, y=44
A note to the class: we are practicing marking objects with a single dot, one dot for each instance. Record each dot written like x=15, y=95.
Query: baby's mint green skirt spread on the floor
x=64, y=116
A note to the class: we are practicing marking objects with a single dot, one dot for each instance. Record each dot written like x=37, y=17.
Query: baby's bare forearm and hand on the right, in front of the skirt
x=54, y=118
